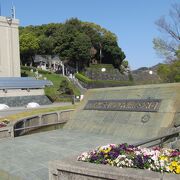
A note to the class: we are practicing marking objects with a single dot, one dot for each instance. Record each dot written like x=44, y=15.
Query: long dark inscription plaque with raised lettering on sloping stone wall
x=139, y=105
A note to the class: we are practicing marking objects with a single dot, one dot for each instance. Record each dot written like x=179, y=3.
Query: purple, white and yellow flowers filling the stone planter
x=124, y=155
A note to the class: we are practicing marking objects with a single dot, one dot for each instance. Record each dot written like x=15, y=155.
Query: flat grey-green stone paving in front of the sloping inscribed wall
x=27, y=156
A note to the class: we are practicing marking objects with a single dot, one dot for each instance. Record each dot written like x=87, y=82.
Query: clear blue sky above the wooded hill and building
x=133, y=21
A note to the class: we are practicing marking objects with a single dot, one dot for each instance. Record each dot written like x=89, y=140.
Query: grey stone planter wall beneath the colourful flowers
x=73, y=170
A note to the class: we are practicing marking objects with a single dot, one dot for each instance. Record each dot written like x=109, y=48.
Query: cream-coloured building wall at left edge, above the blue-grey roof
x=9, y=47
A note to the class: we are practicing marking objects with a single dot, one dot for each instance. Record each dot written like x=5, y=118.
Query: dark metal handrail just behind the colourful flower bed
x=161, y=138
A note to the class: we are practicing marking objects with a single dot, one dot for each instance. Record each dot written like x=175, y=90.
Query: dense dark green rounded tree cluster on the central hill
x=77, y=43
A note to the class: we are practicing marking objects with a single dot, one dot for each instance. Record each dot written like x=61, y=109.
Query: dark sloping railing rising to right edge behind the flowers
x=160, y=139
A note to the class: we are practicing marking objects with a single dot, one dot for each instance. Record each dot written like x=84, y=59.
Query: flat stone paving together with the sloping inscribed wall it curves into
x=28, y=156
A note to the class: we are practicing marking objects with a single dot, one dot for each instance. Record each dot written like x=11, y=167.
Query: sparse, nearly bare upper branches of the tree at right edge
x=170, y=27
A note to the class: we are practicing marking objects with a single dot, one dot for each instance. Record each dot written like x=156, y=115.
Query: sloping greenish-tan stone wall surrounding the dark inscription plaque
x=129, y=126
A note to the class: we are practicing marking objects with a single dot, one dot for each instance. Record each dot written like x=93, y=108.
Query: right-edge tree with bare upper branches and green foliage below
x=169, y=45
